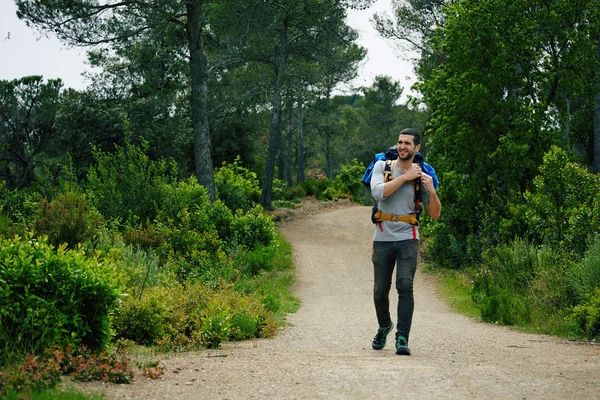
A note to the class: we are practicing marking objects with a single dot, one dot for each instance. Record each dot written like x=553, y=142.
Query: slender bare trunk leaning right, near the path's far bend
x=275, y=131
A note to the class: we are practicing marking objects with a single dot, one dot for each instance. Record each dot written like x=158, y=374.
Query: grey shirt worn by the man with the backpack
x=401, y=202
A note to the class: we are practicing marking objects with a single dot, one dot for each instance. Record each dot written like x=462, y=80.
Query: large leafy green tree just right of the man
x=499, y=99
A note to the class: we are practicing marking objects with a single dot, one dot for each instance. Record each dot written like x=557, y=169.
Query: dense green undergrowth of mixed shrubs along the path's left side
x=93, y=272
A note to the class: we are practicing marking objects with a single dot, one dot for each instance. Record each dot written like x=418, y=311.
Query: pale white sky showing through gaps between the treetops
x=23, y=52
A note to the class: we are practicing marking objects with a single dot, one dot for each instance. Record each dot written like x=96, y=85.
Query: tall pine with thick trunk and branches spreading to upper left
x=86, y=23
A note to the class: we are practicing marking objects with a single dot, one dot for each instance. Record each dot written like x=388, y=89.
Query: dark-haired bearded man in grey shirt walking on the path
x=398, y=190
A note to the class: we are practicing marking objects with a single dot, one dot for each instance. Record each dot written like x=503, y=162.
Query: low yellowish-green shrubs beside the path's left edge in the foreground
x=194, y=315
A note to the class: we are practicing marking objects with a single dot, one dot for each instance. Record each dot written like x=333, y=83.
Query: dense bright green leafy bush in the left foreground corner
x=50, y=296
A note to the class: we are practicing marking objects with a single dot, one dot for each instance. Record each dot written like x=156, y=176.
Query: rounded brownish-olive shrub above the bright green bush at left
x=67, y=219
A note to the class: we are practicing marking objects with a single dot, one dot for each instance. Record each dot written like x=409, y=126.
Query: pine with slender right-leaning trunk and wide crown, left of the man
x=280, y=34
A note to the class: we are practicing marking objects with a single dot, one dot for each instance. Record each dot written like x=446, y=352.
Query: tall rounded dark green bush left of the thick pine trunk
x=127, y=185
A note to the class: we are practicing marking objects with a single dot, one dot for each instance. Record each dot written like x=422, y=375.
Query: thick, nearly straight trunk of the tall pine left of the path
x=199, y=84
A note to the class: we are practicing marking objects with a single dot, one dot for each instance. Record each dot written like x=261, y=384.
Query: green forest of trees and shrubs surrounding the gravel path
x=136, y=211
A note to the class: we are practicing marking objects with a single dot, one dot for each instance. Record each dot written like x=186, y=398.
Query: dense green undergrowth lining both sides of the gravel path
x=99, y=276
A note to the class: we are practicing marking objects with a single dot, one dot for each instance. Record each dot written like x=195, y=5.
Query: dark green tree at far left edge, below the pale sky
x=27, y=112
